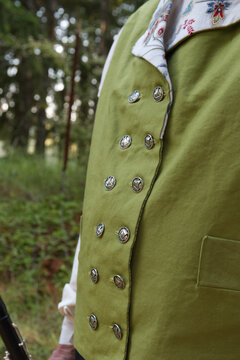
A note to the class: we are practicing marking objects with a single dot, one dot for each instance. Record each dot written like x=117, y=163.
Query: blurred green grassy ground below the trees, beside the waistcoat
x=39, y=225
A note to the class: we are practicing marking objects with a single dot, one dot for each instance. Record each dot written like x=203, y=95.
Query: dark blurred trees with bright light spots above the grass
x=37, y=43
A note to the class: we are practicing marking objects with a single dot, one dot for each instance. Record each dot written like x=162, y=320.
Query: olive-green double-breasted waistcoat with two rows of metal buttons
x=180, y=267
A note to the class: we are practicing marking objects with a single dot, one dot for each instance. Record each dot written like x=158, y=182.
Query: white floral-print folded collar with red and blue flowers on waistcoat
x=176, y=20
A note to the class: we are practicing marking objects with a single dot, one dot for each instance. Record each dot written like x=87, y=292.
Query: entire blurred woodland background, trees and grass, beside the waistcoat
x=40, y=206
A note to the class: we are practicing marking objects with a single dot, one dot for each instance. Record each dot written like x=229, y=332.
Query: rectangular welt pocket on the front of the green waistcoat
x=219, y=263
